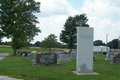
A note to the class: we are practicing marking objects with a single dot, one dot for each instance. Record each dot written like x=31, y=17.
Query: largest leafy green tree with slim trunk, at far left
x=18, y=20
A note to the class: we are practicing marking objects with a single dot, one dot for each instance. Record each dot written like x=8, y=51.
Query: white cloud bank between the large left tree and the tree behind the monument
x=53, y=16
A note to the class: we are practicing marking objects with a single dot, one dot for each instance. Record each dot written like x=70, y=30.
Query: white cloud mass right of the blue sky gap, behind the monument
x=104, y=17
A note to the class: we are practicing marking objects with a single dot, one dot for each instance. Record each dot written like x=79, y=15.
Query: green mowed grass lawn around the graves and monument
x=21, y=67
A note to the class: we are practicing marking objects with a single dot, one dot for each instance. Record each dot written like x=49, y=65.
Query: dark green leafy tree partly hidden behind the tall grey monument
x=68, y=35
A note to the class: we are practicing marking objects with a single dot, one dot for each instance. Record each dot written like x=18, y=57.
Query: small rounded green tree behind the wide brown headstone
x=49, y=42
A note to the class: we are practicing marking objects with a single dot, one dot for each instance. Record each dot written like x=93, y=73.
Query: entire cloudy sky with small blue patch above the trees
x=103, y=15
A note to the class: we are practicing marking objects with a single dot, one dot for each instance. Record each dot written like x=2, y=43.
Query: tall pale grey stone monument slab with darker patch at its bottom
x=84, y=50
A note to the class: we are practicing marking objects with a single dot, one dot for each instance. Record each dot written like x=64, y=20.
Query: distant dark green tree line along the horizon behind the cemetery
x=114, y=44
